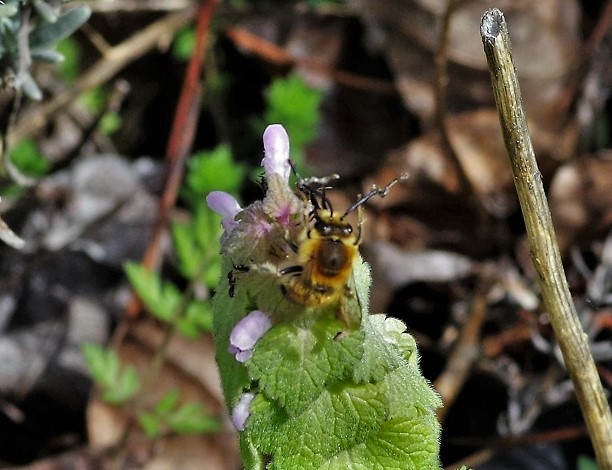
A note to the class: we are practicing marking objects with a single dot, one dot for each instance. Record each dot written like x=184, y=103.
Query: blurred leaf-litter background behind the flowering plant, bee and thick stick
x=118, y=117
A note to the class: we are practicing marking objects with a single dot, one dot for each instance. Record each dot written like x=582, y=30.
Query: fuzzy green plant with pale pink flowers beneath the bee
x=327, y=386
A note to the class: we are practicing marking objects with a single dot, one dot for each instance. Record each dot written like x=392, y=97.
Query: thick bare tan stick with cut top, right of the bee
x=540, y=232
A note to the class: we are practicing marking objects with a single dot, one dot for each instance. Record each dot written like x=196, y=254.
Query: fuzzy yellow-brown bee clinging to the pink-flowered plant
x=326, y=255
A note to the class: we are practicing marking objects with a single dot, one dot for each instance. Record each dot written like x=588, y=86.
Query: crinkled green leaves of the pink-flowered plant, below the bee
x=329, y=401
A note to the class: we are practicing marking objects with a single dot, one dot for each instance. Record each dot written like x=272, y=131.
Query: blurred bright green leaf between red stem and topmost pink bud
x=212, y=170
